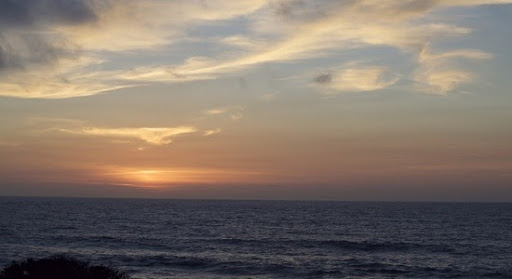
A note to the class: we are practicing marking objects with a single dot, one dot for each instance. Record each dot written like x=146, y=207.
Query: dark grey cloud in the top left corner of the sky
x=26, y=37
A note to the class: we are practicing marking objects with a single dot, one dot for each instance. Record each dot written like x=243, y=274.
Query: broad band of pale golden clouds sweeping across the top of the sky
x=63, y=49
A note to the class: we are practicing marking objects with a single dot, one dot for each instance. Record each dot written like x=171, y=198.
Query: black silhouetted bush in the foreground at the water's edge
x=59, y=267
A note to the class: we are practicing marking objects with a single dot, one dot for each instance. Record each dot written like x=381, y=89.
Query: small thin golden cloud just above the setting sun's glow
x=156, y=136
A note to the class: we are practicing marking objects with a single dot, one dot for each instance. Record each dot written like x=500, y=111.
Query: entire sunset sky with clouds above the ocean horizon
x=394, y=100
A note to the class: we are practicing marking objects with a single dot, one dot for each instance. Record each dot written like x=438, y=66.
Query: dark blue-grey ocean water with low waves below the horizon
x=264, y=239
